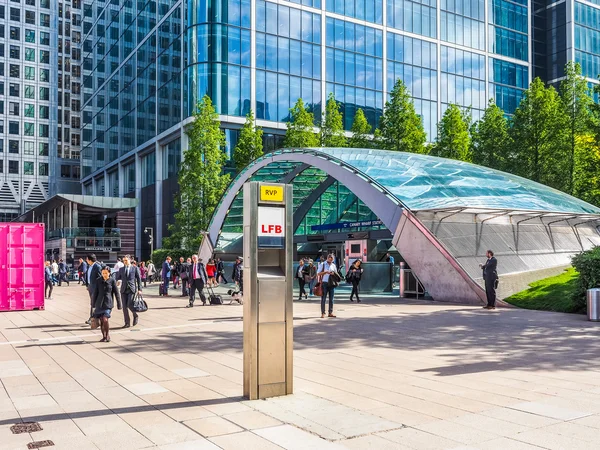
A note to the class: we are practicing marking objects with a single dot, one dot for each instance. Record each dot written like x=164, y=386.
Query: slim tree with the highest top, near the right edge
x=577, y=102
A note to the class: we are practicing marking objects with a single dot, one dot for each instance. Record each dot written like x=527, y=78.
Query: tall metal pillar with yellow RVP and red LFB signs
x=268, y=300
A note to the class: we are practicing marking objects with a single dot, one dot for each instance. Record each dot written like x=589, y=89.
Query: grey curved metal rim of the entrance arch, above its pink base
x=388, y=211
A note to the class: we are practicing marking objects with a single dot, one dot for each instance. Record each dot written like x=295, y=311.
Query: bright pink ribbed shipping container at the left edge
x=21, y=266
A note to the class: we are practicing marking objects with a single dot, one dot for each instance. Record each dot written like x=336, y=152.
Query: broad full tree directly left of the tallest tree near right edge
x=538, y=135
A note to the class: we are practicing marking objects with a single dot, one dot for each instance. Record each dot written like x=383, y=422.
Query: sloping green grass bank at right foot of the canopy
x=550, y=294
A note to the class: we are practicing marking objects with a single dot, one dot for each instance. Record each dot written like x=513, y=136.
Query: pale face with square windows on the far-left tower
x=28, y=103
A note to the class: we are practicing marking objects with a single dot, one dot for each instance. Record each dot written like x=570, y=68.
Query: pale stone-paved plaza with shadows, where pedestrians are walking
x=385, y=374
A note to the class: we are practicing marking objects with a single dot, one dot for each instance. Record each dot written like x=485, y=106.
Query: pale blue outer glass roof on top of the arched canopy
x=423, y=182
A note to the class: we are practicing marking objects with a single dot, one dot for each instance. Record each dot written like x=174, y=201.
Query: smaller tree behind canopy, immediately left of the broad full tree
x=491, y=139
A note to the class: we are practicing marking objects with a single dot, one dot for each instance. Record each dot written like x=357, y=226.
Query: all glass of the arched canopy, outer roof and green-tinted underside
x=418, y=182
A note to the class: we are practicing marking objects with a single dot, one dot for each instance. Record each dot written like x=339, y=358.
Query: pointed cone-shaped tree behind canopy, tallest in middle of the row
x=400, y=127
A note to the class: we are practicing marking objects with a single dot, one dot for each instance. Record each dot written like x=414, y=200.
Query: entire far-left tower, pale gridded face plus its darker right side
x=40, y=81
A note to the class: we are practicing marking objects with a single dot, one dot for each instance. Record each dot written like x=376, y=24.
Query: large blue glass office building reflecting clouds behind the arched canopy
x=146, y=64
